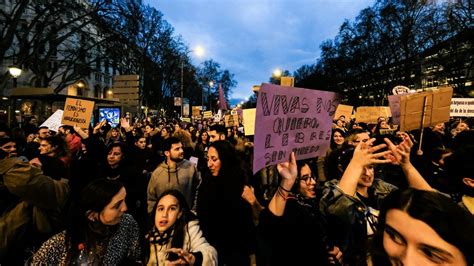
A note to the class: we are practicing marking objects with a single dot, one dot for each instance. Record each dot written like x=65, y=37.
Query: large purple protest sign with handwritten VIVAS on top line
x=291, y=119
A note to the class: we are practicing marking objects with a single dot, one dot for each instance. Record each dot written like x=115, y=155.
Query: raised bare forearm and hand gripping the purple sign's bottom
x=288, y=172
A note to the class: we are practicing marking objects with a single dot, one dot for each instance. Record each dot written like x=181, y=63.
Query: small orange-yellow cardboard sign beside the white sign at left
x=77, y=112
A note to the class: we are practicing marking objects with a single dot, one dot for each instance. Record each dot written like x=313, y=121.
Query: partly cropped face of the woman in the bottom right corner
x=408, y=241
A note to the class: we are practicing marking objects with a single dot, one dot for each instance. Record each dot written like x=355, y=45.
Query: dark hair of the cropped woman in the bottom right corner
x=448, y=220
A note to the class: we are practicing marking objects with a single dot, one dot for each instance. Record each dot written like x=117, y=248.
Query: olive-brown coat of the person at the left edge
x=30, y=204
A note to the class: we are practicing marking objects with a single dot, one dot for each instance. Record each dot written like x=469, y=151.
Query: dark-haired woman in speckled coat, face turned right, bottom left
x=98, y=226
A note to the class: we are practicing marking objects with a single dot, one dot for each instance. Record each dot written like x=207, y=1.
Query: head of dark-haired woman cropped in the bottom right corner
x=419, y=227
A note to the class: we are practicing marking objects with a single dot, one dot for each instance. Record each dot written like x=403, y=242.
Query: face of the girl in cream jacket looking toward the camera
x=167, y=212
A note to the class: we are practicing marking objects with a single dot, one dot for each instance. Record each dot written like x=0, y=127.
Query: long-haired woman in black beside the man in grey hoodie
x=225, y=217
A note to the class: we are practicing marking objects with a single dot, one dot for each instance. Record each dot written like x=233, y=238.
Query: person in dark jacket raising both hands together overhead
x=351, y=205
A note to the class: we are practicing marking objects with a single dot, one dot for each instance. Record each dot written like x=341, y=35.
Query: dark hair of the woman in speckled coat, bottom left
x=94, y=197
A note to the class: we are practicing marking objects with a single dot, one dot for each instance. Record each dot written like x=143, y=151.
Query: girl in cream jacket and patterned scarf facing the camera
x=175, y=235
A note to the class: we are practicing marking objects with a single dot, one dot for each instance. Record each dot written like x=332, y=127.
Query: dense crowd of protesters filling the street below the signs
x=158, y=192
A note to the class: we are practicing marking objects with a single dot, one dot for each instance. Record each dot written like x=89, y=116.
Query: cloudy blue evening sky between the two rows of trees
x=251, y=38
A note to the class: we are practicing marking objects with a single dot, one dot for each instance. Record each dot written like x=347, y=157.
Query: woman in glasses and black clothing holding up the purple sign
x=292, y=218
